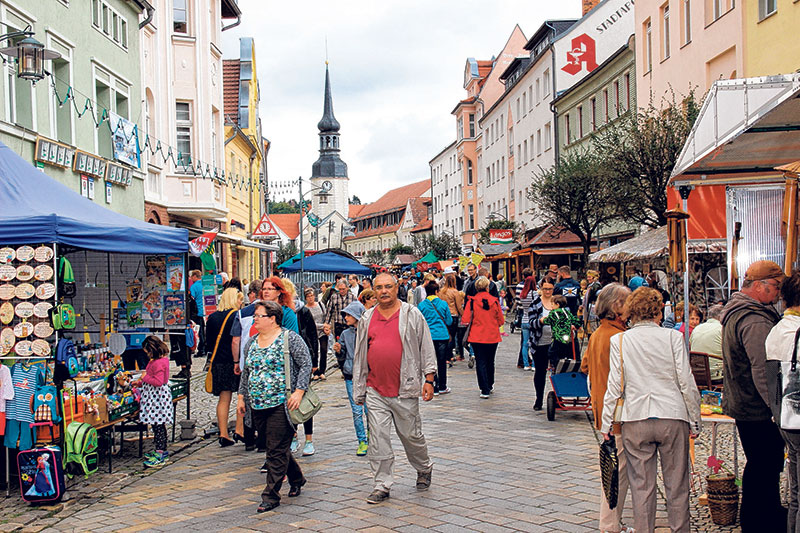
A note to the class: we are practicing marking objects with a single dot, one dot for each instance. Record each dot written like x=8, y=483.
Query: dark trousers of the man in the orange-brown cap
x=761, y=500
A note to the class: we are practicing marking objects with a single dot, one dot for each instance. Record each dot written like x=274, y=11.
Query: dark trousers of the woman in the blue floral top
x=274, y=423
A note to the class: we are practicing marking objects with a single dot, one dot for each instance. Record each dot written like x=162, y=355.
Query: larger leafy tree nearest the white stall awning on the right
x=639, y=151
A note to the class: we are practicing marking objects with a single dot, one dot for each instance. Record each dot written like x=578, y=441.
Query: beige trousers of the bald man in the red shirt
x=382, y=412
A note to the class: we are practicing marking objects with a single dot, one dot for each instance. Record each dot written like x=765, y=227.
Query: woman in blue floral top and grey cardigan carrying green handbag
x=262, y=397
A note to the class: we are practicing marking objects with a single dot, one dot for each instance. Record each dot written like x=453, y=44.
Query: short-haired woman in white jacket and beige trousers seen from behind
x=661, y=409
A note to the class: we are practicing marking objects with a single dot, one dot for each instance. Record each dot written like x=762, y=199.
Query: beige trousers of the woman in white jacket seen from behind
x=669, y=439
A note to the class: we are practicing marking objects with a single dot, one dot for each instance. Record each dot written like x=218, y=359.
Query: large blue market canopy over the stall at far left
x=35, y=208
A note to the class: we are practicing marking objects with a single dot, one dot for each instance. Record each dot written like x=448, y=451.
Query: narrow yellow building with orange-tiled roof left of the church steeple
x=245, y=163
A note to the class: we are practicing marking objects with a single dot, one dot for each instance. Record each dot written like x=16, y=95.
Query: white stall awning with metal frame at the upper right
x=746, y=127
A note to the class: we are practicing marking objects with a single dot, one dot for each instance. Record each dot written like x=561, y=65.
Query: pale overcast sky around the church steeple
x=396, y=73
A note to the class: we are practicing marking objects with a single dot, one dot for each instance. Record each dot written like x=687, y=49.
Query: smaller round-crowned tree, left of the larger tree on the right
x=576, y=196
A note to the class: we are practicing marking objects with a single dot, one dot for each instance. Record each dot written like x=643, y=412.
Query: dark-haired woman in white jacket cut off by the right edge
x=779, y=346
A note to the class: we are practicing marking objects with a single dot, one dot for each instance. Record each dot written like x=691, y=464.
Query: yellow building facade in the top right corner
x=771, y=46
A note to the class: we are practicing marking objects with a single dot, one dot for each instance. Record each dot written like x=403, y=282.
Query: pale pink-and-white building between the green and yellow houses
x=183, y=108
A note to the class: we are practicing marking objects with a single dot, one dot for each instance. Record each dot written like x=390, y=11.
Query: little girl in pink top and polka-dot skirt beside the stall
x=156, y=402
